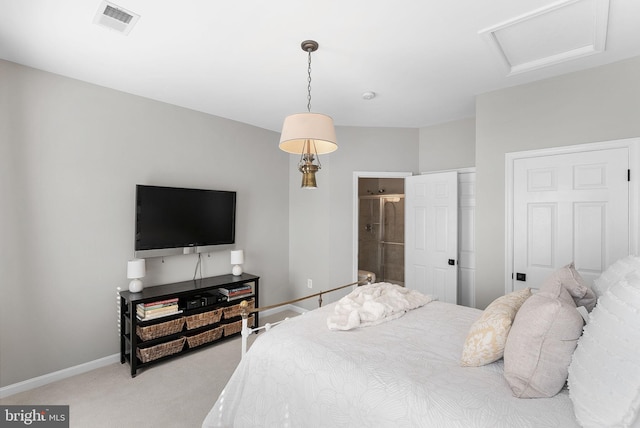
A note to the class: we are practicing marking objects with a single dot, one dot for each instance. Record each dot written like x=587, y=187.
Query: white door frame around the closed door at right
x=632, y=144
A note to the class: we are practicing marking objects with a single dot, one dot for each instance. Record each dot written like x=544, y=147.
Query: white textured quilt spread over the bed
x=405, y=372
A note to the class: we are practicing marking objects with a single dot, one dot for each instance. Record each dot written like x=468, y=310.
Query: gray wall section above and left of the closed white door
x=599, y=104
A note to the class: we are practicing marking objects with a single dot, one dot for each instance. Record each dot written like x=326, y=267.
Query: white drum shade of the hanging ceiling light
x=299, y=128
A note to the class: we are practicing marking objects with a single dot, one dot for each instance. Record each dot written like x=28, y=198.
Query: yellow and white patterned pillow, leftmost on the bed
x=487, y=336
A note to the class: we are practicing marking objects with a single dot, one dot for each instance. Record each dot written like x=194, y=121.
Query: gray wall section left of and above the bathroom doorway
x=321, y=220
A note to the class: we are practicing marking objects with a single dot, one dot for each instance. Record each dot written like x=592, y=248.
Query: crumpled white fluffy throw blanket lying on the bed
x=372, y=304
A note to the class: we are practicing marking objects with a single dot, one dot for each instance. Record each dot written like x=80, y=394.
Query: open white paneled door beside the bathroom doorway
x=431, y=234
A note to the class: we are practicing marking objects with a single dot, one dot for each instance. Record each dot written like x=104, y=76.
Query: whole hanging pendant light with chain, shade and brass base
x=308, y=134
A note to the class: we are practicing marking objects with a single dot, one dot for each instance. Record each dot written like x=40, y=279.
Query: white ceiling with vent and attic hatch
x=425, y=59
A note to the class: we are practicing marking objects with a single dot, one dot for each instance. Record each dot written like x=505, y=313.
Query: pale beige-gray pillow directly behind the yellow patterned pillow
x=542, y=339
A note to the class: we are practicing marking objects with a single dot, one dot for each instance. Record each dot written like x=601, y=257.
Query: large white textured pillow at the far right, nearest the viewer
x=604, y=375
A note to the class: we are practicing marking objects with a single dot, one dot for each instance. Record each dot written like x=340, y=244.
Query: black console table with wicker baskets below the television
x=205, y=317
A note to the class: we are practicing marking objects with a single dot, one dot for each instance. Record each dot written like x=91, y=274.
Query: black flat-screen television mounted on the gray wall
x=174, y=220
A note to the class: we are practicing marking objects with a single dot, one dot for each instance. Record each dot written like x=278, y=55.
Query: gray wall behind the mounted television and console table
x=70, y=156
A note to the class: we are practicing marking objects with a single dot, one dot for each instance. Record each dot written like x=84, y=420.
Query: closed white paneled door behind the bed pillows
x=569, y=207
